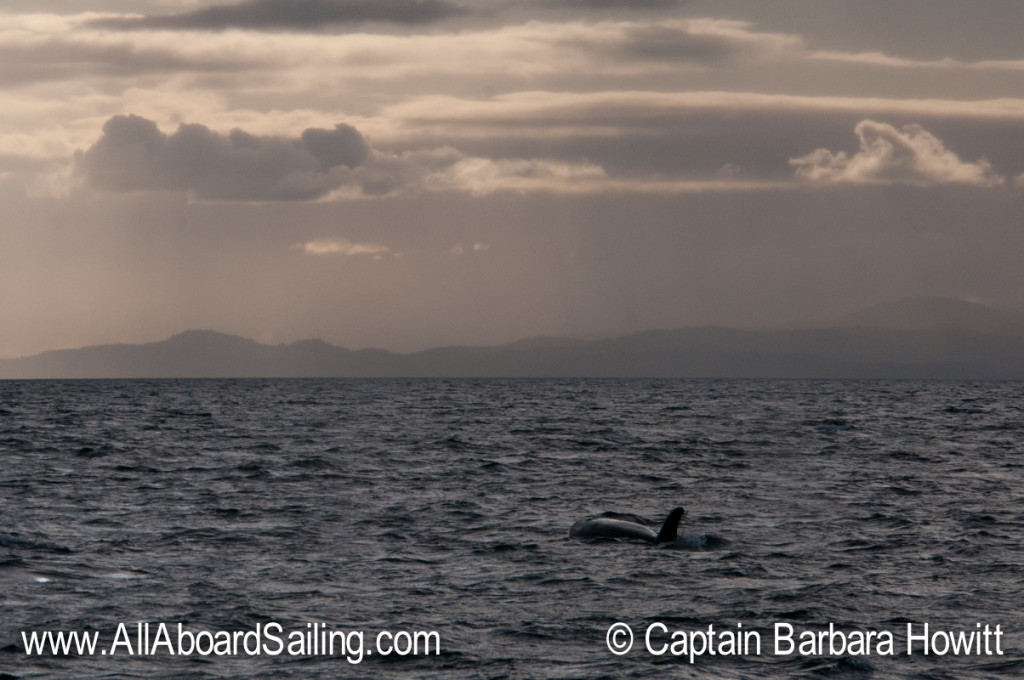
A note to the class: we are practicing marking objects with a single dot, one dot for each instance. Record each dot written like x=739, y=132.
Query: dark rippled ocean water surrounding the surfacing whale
x=232, y=507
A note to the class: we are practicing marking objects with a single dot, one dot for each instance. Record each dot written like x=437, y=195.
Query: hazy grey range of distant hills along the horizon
x=917, y=338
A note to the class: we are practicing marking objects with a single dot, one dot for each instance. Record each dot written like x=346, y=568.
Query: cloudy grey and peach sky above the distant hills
x=406, y=175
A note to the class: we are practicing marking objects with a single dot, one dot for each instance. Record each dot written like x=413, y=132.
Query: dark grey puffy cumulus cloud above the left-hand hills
x=134, y=155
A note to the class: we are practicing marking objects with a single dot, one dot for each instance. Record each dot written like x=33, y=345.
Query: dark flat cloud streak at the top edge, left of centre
x=292, y=15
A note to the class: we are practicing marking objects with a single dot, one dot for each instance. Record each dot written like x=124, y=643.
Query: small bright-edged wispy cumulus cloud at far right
x=910, y=156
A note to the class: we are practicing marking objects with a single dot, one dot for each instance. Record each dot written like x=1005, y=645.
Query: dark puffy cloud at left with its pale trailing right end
x=134, y=155
